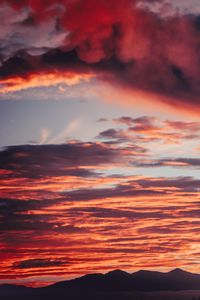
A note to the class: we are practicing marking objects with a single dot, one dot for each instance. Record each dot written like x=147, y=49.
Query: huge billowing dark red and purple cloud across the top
x=134, y=45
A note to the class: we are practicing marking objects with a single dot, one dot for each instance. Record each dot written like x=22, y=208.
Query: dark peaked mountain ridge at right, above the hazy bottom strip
x=174, y=280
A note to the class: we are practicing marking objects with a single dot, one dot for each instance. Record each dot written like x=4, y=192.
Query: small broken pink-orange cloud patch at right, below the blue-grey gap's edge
x=150, y=129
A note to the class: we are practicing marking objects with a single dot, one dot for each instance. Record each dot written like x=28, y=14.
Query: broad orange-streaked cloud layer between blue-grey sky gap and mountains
x=78, y=207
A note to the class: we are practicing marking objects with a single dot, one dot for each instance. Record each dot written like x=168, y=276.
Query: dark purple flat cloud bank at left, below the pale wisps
x=72, y=158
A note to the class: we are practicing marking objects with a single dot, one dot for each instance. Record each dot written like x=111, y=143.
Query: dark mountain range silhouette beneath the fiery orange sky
x=111, y=282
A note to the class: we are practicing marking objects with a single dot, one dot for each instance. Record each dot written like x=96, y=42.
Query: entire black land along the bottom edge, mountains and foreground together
x=116, y=285
